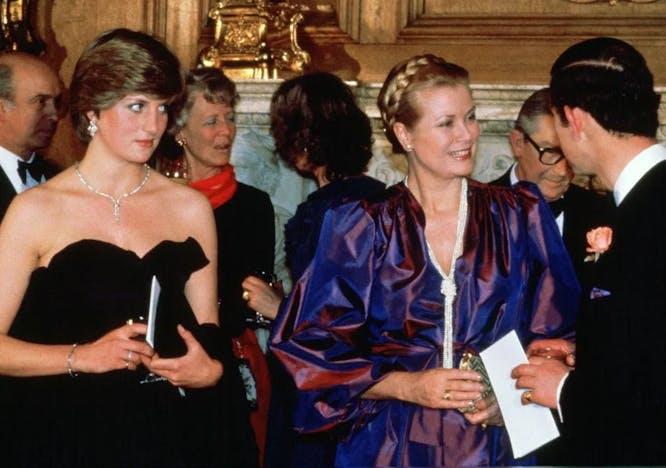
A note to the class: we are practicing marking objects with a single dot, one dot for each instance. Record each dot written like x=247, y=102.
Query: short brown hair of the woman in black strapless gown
x=117, y=63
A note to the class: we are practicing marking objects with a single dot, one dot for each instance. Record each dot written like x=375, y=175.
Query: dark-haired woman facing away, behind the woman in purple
x=321, y=132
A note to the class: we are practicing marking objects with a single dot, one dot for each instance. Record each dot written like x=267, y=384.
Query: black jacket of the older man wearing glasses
x=583, y=210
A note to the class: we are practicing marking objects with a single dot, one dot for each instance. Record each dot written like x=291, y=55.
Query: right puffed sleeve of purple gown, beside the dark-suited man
x=554, y=290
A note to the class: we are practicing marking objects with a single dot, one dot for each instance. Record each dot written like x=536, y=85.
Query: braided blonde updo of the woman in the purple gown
x=396, y=99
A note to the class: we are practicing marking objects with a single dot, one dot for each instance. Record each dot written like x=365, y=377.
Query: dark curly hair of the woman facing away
x=316, y=114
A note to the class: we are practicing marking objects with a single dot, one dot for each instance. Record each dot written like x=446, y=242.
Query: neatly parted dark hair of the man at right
x=610, y=79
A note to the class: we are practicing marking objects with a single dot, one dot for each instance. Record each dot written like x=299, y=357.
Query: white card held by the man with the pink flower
x=529, y=426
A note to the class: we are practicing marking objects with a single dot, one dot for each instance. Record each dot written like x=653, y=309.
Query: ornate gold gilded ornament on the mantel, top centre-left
x=242, y=33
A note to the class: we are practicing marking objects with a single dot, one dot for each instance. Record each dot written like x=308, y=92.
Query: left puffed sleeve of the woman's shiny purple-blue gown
x=319, y=336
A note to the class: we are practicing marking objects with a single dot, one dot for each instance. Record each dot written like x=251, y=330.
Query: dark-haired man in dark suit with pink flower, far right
x=614, y=403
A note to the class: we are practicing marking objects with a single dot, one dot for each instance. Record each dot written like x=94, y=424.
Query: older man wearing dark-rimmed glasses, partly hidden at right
x=539, y=159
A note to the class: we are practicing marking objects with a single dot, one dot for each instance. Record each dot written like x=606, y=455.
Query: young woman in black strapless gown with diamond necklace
x=77, y=255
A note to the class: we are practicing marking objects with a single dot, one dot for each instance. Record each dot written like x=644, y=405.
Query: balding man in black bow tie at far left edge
x=30, y=95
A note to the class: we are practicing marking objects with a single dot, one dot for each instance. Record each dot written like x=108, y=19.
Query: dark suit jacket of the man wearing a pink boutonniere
x=614, y=403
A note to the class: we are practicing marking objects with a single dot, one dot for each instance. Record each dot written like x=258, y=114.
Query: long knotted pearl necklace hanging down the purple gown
x=448, y=287
